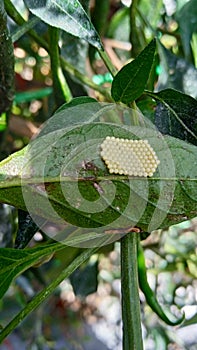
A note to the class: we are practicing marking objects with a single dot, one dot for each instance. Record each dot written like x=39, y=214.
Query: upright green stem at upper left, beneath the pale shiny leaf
x=60, y=87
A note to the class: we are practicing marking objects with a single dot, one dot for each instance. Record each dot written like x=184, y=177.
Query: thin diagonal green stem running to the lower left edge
x=40, y=297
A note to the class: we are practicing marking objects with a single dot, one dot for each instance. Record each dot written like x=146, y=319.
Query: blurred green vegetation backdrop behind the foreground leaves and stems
x=87, y=315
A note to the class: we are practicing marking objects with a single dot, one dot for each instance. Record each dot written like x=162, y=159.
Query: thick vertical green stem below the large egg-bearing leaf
x=132, y=333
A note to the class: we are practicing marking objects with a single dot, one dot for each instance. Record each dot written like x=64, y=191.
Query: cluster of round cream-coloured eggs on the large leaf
x=129, y=157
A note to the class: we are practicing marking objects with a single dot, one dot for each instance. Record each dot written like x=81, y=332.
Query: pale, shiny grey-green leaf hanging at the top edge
x=67, y=15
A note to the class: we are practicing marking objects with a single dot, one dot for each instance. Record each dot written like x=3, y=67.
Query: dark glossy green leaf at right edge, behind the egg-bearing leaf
x=176, y=114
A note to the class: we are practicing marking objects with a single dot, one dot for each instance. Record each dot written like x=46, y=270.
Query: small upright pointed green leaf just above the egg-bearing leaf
x=130, y=81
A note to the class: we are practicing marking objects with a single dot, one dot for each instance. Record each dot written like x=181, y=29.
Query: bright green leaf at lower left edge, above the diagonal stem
x=13, y=262
